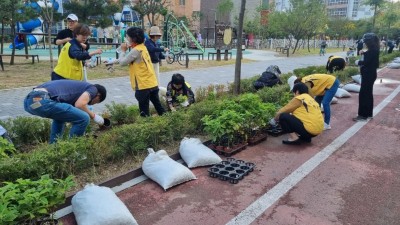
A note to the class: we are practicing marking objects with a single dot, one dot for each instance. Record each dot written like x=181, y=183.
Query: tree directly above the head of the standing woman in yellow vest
x=151, y=9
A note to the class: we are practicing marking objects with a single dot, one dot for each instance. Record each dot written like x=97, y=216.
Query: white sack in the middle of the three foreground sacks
x=165, y=171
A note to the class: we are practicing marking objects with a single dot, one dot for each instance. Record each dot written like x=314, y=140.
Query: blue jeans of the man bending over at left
x=40, y=104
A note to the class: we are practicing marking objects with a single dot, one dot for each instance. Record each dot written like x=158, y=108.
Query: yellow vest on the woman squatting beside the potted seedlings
x=310, y=114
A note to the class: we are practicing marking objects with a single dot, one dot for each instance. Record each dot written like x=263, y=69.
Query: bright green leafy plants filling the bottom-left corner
x=32, y=202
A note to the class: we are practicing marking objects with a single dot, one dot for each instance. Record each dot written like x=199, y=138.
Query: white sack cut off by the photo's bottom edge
x=96, y=205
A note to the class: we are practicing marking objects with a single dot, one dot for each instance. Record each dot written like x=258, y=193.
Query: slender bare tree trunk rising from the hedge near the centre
x=238, y=63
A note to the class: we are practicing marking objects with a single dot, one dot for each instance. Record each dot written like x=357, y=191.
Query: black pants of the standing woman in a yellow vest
x=144, y=97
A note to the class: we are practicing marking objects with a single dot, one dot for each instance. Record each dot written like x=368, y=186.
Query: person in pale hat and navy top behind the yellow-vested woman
x=154, y=50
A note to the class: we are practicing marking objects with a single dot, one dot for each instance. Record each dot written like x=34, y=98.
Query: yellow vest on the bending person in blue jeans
x=321, y=82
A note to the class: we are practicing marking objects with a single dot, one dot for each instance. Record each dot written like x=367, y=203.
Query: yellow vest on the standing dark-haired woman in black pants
x=141, y=71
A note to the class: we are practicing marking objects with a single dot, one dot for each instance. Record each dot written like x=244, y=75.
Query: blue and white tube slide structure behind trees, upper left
x=33, y=26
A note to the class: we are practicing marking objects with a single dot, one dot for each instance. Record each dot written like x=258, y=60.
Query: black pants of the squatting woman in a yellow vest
x=290, y=124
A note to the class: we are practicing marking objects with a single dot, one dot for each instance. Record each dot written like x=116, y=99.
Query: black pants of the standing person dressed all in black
x=366, y=97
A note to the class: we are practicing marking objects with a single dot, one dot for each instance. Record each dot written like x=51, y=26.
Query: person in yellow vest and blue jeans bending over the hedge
x=323, y=88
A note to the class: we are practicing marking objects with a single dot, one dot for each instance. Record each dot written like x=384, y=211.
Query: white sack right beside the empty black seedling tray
x=195, y=154
